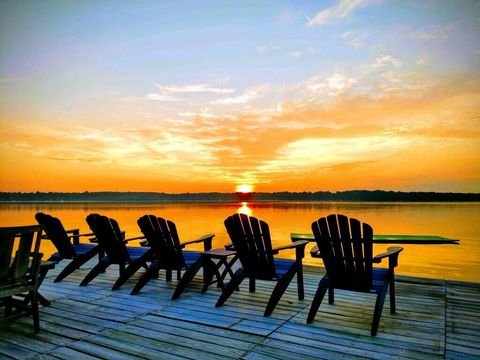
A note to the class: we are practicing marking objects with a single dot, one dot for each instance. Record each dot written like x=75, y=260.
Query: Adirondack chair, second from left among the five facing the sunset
x=111, y=239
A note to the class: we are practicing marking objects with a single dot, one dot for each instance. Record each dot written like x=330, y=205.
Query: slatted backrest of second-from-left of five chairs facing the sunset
x=109, y=237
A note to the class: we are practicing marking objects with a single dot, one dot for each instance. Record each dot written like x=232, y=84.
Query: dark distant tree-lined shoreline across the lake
x=212, y=197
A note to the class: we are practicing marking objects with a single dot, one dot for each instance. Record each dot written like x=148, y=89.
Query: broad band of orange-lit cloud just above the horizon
x=411, y=127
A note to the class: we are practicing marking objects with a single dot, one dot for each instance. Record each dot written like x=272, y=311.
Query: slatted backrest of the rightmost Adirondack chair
x=346, y=248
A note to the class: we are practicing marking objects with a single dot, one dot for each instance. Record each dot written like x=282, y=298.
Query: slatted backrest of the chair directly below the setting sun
x=252, y=242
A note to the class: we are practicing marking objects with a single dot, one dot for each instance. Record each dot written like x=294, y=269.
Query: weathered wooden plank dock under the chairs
x=435, y=319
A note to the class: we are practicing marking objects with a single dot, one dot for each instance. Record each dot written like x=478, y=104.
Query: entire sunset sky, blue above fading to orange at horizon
x=178, y=96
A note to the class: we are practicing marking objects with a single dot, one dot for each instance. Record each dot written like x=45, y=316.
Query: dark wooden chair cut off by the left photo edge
x=19, y=267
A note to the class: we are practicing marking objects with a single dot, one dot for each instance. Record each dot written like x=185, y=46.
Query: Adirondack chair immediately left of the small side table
x=162, y=237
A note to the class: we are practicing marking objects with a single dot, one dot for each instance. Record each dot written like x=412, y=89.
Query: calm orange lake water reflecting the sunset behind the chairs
x=454, y=220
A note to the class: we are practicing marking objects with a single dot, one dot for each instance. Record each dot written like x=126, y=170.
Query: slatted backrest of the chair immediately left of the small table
x=162, y=237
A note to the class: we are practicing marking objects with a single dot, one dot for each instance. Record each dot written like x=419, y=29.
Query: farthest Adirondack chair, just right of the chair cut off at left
x=67, y=244
